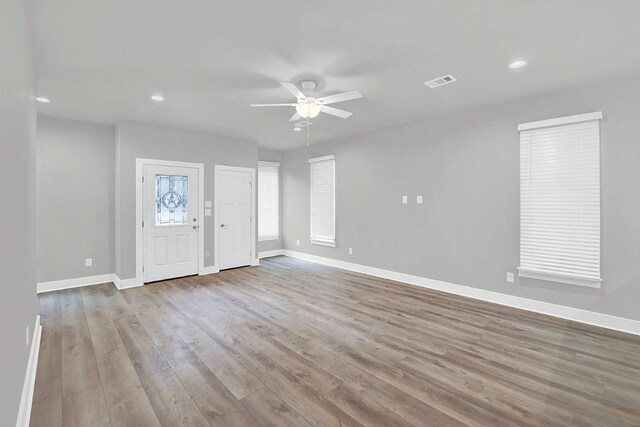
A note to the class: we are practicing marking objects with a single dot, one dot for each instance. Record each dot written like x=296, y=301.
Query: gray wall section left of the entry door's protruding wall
x=75, y=197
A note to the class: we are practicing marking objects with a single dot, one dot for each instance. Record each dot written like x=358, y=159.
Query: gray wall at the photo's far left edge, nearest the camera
x=17, y=224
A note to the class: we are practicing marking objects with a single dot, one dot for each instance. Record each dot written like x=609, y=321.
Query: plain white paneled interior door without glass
x=235, y=213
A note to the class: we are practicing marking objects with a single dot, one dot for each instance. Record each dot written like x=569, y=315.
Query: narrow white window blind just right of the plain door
x=268, y=201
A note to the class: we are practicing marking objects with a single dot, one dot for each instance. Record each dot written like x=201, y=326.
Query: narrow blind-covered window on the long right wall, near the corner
x=323, y=215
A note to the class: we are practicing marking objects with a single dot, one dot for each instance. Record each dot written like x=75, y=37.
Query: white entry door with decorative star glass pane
x=171, y=224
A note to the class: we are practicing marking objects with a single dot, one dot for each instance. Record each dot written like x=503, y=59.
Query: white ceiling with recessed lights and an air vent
x=100, y=60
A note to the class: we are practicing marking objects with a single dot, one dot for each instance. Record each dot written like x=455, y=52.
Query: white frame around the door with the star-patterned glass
x=140, y=163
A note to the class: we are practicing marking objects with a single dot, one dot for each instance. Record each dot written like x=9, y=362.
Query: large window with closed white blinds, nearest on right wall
x=560, y=200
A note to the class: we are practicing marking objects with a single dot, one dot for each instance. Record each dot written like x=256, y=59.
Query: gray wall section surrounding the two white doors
x=135, y=140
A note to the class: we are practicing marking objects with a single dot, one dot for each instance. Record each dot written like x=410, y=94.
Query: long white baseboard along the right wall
x=578, y=315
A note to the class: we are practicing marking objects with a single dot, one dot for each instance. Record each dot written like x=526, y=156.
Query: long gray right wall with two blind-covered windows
x=465, y=165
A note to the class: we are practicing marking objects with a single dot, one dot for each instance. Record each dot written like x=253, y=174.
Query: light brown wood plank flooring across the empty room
x=292, y=343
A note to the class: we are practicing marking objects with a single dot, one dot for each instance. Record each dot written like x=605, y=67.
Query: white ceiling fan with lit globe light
x=308, y=107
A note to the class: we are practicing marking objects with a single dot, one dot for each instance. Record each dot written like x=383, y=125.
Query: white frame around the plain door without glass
x=216, y=216
